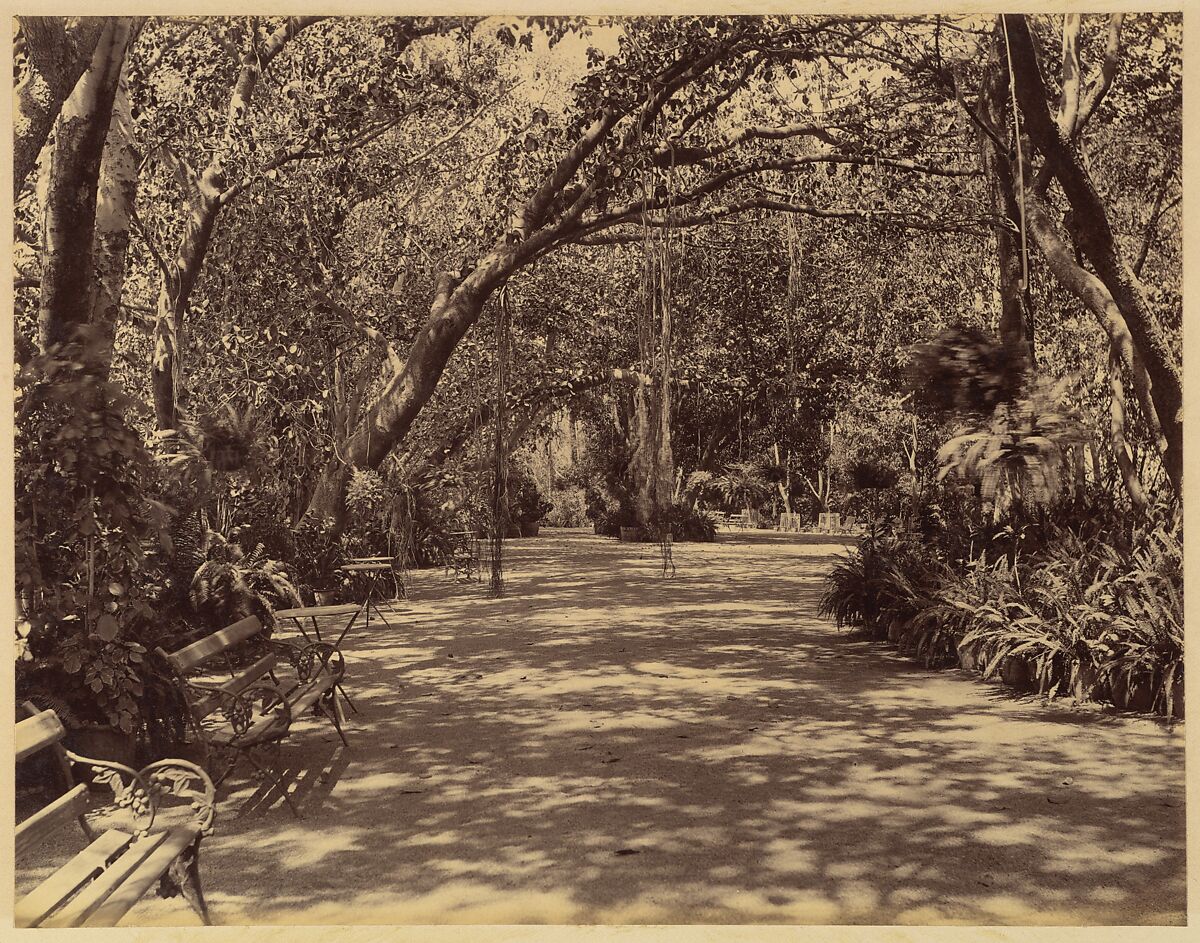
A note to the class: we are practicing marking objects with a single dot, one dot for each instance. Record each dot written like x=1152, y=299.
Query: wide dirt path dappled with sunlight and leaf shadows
x=607, y=747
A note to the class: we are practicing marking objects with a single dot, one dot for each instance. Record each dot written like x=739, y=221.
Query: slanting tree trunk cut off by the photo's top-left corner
x=57, y=52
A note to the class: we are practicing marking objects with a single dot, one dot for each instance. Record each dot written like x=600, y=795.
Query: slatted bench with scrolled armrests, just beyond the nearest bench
x=254, y=710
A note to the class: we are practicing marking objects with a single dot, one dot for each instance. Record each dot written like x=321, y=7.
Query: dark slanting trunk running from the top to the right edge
x=1094, y=235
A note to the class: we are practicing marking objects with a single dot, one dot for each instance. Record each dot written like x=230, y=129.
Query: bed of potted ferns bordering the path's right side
x=1088, y=600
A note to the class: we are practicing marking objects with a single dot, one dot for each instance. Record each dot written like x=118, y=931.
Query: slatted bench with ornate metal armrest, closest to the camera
x=100, y=885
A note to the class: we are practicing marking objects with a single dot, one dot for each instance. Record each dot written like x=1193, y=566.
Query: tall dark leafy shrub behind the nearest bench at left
x=88, y=598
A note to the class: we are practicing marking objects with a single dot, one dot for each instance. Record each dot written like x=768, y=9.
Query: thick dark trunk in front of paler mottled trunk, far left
x=68, y=272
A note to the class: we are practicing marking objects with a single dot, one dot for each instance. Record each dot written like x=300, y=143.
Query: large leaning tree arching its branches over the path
x=634, y=118
